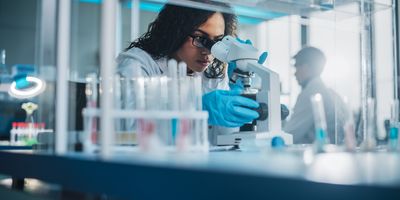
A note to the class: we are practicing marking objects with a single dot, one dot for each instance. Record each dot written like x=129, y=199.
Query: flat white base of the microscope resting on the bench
x=236, y=138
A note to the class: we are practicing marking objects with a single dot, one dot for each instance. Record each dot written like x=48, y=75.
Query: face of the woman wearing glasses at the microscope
x=198, y=58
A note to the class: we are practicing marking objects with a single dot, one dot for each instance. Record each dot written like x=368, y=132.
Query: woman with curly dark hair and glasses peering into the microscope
x=179, y=33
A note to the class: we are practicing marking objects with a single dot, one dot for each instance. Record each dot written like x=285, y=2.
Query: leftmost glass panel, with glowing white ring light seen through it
x=27, y=30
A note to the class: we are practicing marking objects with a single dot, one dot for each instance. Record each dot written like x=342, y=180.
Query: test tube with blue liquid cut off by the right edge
x=394, y=126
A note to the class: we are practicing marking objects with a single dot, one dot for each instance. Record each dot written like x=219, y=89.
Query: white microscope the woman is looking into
x=268, y=125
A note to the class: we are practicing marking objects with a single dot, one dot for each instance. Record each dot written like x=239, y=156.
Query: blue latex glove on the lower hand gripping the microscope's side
x=227, y=108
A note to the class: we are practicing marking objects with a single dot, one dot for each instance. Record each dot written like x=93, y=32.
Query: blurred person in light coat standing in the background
x=309, y=64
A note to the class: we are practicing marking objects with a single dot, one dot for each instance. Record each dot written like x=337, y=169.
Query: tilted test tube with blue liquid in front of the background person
x=321, y=138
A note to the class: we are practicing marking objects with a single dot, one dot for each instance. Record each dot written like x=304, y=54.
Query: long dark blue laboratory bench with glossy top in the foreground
x=222, y=173
